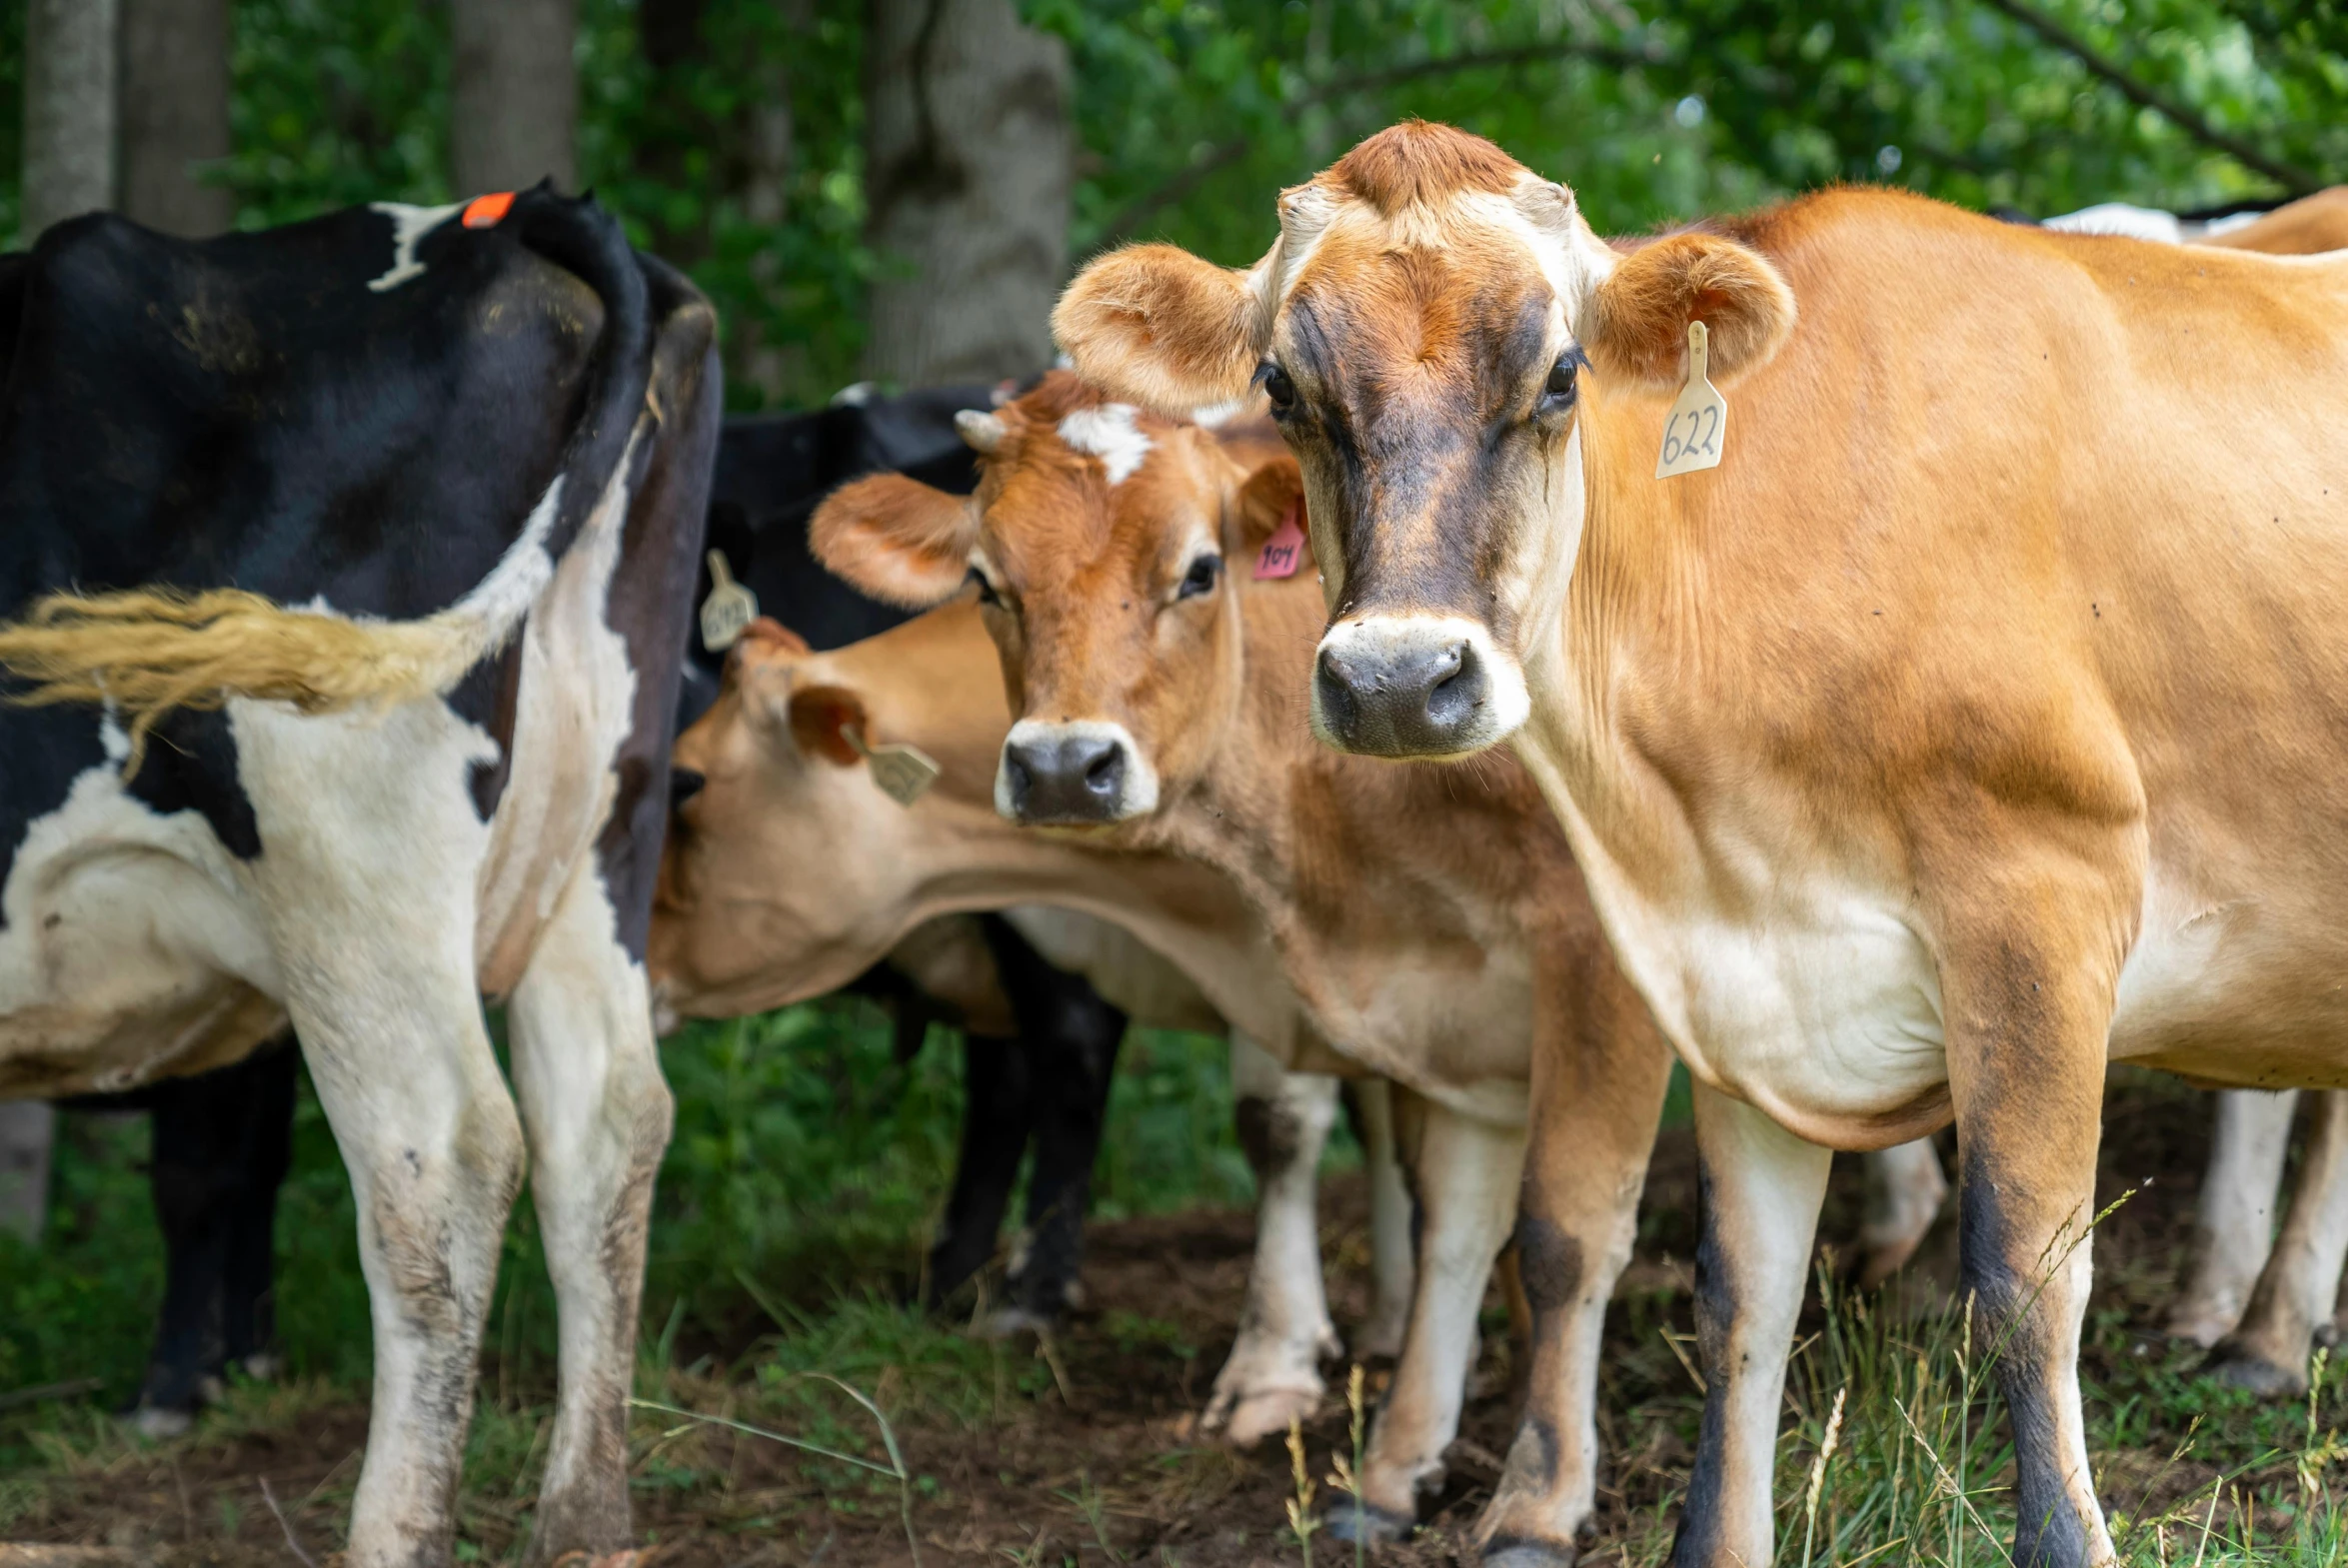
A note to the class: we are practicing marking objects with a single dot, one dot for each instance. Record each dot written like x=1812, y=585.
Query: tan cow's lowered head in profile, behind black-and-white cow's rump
x=788, y=870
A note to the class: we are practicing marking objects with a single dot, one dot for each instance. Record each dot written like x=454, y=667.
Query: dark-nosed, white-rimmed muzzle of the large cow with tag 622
x=1415, y=687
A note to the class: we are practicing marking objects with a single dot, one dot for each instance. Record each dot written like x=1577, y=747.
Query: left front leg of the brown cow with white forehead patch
x=1466, y=1180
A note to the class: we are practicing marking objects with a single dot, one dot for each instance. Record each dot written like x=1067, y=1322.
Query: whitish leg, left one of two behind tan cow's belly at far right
x=2234, y=1224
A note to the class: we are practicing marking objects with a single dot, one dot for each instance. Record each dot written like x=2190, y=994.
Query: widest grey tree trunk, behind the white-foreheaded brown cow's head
x=966, y=177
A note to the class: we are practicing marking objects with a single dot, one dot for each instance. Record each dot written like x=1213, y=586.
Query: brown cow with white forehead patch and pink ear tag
x=1159, y=647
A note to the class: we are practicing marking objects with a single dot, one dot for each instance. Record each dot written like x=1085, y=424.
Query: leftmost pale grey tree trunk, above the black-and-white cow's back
x=69, y=111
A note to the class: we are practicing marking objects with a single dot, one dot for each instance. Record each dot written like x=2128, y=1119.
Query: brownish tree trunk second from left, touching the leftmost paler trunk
x=175, y=114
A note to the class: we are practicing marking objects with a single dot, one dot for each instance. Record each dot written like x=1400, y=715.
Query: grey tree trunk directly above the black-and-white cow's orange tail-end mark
x=515, y=95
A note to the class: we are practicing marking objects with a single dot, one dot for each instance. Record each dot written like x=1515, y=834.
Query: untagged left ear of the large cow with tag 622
x=1161, y=327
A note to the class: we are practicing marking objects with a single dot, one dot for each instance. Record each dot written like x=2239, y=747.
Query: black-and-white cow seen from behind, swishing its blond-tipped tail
x=351, y=569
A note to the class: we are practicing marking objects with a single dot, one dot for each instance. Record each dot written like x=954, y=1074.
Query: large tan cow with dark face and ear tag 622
x=1889, y=745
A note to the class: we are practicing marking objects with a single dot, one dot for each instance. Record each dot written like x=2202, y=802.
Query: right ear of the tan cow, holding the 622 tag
x=1638, y=318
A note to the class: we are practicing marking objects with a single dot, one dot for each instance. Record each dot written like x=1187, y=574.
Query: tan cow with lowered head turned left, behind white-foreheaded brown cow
x=790, y=870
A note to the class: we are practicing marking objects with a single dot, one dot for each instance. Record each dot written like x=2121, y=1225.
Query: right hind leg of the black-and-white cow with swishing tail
x=598, y=1109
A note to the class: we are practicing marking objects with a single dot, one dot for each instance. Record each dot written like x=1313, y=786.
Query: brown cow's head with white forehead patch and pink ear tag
x=1100, y=546
